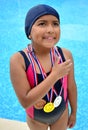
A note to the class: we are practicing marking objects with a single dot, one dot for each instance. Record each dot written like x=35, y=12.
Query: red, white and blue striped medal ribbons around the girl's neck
x=42, y=71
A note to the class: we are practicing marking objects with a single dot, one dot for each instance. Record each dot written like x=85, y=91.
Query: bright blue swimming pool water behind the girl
x=74, y=36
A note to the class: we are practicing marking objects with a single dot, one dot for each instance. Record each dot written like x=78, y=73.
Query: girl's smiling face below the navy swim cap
x=45, y=31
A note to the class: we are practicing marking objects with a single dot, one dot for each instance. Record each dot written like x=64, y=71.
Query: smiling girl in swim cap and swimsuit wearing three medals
x=43, y=74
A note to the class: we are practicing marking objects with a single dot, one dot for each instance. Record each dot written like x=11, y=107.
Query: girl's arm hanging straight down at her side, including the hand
x=72, y=91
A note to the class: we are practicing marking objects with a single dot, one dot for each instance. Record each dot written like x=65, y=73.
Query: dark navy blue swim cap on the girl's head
x=35, y=12
